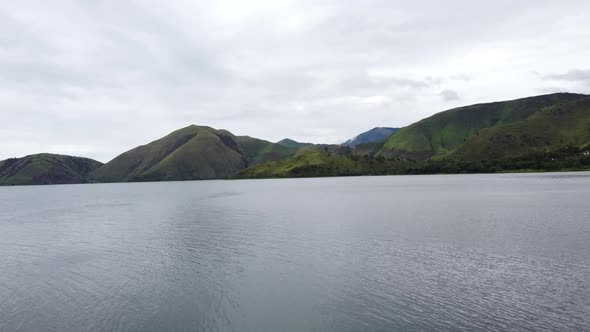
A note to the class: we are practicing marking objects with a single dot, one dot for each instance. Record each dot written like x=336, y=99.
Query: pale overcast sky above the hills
x=96, y=78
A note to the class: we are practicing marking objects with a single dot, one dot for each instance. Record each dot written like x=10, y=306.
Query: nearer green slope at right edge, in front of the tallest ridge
x=551, y=128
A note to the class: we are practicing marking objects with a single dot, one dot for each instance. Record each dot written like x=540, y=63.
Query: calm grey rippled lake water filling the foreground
x=408, y=253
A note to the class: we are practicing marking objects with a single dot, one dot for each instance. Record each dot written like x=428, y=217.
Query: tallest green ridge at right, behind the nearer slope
x=444, y=132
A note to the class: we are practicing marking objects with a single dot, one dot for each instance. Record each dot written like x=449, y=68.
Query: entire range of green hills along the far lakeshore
x=543, y=133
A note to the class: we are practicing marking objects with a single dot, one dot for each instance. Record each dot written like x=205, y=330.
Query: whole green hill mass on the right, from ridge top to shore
x=550, y=132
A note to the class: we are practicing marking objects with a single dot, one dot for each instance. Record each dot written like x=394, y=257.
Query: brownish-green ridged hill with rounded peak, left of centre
x=190, y=153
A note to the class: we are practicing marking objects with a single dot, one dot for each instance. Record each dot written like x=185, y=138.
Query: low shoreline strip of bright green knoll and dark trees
x=325, y=164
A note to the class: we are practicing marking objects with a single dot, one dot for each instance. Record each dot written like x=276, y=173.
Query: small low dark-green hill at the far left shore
x=46, y=168
